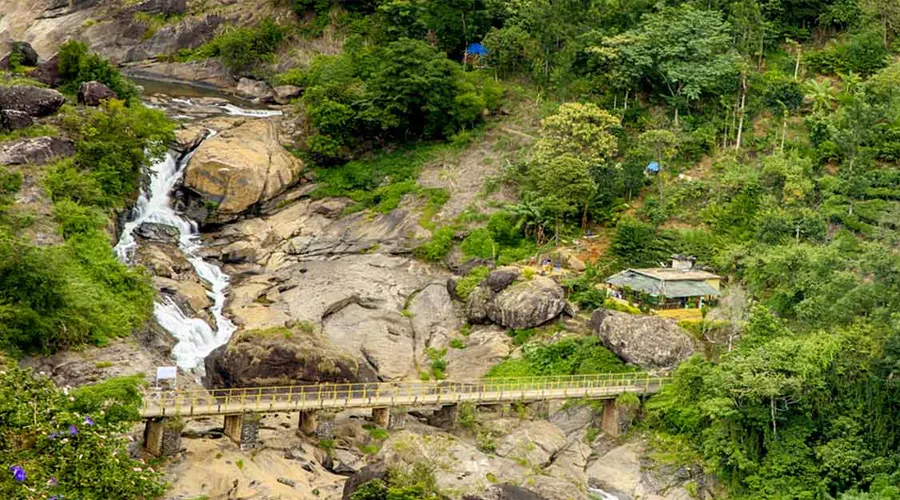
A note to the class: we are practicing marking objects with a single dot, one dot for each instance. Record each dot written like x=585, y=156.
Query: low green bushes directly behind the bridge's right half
x=570, y=356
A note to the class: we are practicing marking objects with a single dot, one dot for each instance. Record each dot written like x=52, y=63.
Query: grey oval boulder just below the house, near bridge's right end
x=648, y=341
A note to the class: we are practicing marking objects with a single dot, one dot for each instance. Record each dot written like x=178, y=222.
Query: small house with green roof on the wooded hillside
x=679, y=286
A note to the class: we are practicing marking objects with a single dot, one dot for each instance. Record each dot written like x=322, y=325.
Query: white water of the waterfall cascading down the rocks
x=196, y=338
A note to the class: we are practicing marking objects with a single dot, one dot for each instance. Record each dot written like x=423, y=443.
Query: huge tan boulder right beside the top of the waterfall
x=239, y=168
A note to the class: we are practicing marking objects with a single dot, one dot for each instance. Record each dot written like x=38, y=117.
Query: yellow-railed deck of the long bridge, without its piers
x=375, y=394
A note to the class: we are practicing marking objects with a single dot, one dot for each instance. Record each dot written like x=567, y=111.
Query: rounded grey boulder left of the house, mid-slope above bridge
x=527, y=304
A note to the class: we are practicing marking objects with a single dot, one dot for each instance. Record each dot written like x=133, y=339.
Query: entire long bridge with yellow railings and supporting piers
x=161, y=407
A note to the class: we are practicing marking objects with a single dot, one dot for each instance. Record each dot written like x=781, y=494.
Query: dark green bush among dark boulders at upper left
x=77, y=66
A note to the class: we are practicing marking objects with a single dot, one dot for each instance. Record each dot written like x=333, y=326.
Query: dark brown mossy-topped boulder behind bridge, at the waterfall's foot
x=280, y=357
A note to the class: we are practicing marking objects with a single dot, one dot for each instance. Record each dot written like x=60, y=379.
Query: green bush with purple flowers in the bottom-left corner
x=93, y=464
